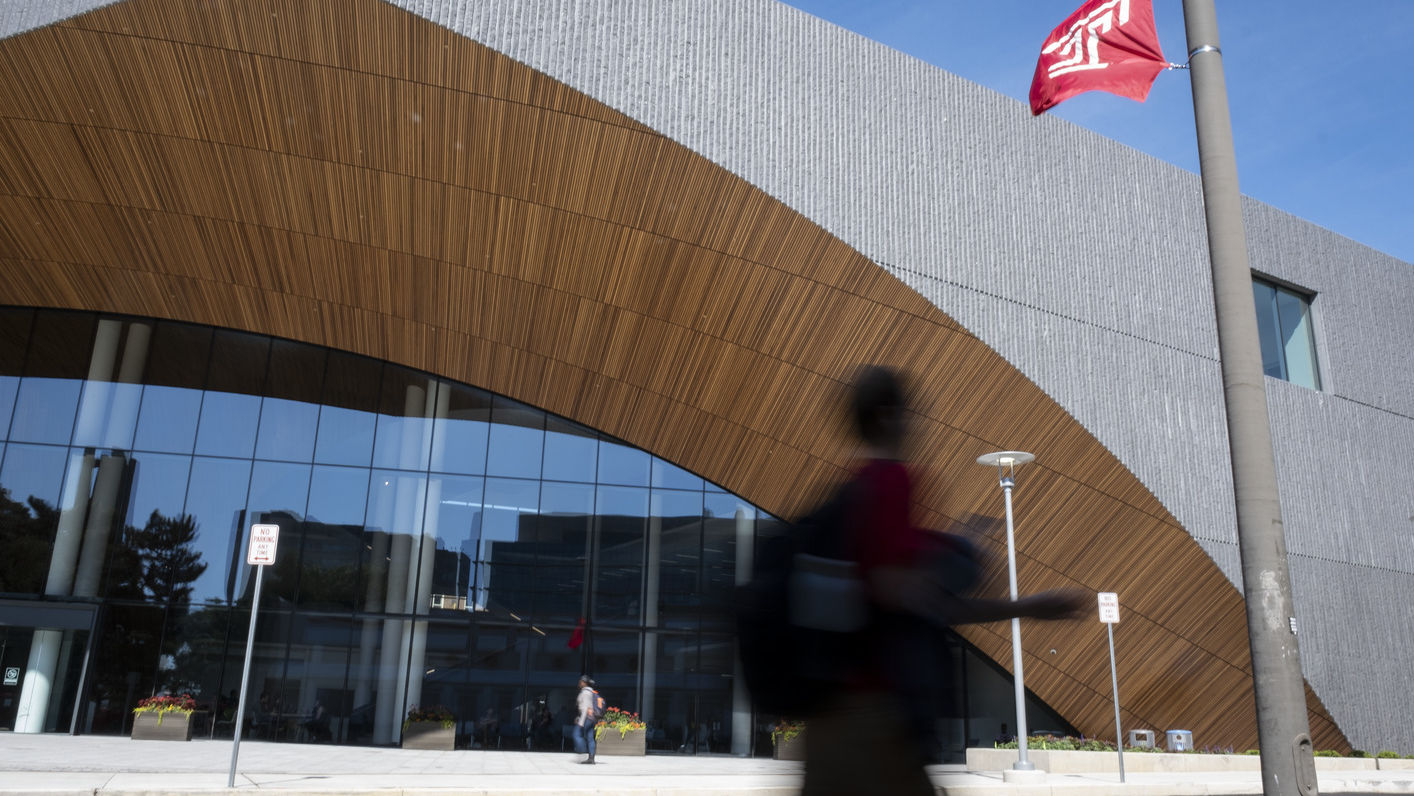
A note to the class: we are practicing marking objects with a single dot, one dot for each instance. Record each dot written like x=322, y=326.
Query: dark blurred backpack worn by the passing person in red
x=800, y=617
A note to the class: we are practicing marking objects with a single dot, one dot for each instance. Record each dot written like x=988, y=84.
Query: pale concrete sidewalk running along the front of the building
x=119, y=767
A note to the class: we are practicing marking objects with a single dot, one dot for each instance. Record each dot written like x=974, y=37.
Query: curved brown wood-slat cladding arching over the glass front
x=351, y=176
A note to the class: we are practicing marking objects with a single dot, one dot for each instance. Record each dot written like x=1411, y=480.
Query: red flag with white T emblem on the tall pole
x=1105, y=46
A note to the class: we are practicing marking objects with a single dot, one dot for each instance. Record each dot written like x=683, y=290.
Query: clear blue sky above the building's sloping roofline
x=1321, y=94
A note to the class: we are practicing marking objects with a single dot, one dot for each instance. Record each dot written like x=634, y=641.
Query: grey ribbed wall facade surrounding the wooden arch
x=1078, y=259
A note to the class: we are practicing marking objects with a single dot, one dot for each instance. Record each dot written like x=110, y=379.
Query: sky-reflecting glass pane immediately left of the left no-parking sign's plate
x=217, y=500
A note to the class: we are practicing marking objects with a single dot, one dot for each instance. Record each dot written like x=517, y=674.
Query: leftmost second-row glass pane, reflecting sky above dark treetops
x=30, y=484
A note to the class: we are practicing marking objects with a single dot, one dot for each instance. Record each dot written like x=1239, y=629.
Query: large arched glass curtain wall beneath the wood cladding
x=439, y=546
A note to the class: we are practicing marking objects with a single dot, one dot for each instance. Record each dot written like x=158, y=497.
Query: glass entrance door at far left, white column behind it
x=45, y=655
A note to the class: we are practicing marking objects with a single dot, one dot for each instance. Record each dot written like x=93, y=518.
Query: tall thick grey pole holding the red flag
x=1283, y=729
